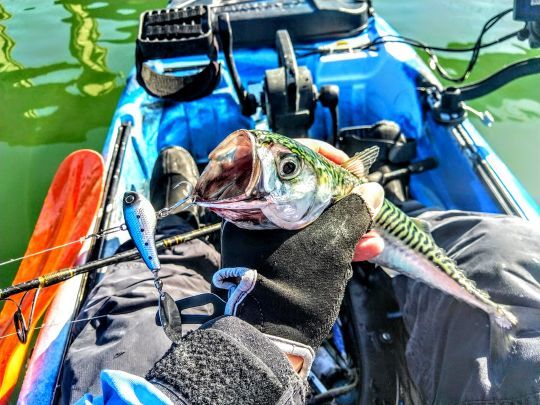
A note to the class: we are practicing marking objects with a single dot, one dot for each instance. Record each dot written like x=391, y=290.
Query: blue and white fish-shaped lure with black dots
x=141, y=222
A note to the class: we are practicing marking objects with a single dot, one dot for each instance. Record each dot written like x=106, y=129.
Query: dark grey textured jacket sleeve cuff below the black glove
x=227, y=361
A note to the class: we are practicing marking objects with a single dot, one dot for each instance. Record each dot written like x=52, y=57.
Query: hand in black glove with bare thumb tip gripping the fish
x=290, y=284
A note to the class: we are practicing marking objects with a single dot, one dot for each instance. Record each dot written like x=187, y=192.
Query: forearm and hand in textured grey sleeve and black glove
x=298, y=287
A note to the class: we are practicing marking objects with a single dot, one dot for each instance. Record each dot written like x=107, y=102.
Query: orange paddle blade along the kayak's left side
x=68, y=211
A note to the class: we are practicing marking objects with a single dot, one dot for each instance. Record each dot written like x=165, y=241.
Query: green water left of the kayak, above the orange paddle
x=63, y=65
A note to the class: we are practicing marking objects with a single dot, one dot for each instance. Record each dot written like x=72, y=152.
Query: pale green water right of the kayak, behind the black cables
x=515, y=135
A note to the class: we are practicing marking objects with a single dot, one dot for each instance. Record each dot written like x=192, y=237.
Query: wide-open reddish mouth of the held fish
x=231, y=178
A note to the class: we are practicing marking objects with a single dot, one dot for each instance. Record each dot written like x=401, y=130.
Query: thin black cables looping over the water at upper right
x=433, y=59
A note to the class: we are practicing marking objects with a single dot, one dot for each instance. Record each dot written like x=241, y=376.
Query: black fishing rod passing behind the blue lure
x=132, y=254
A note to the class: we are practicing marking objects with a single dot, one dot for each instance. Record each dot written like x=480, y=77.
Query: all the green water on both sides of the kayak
x=63, y=65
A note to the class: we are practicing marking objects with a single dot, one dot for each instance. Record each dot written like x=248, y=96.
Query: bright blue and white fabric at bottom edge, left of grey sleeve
x=119, y=387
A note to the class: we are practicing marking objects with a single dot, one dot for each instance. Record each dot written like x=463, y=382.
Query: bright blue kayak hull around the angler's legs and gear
x=382, y=82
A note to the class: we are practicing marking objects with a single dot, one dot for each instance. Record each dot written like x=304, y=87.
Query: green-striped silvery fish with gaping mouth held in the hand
x=258, y=179
